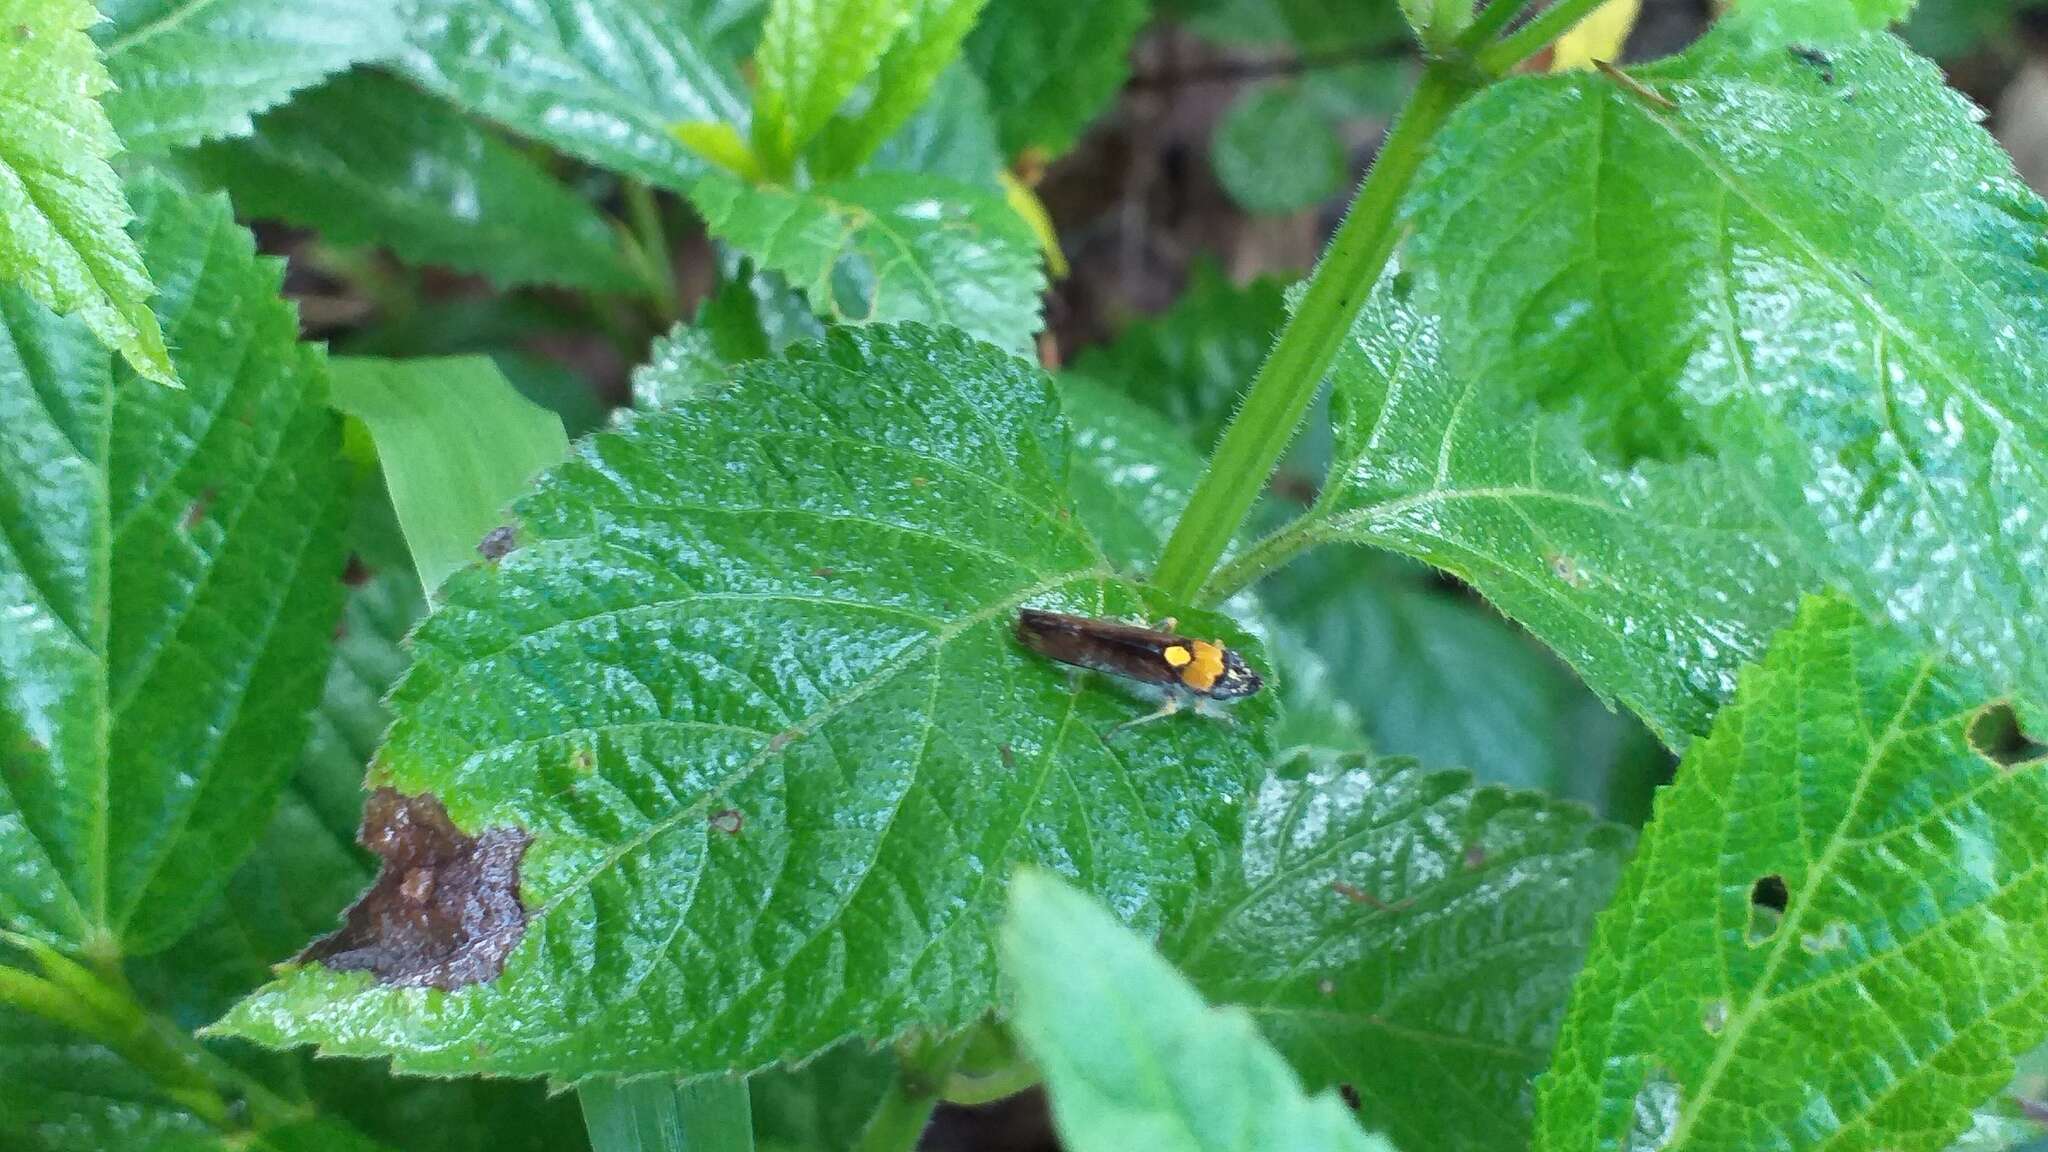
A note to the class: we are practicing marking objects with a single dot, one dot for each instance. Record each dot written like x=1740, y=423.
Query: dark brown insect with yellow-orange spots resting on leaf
x=1181, y=665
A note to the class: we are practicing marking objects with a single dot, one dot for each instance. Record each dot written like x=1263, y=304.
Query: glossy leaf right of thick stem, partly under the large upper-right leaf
x=1656, y=583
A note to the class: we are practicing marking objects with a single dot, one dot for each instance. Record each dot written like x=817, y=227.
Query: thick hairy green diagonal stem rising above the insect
x=1293, y=372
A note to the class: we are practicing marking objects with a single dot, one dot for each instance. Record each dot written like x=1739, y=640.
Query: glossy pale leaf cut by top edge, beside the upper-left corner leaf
x=191, y=71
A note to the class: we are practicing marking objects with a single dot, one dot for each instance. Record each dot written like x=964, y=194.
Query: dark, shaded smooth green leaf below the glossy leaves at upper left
x=372, y=161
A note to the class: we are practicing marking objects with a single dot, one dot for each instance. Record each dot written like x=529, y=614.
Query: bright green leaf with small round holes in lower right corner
x=1842, y=784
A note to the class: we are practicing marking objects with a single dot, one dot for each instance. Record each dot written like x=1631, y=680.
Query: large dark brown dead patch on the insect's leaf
x=445, y=907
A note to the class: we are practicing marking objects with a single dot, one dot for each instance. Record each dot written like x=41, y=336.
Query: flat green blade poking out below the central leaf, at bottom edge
x=667, y=1116
